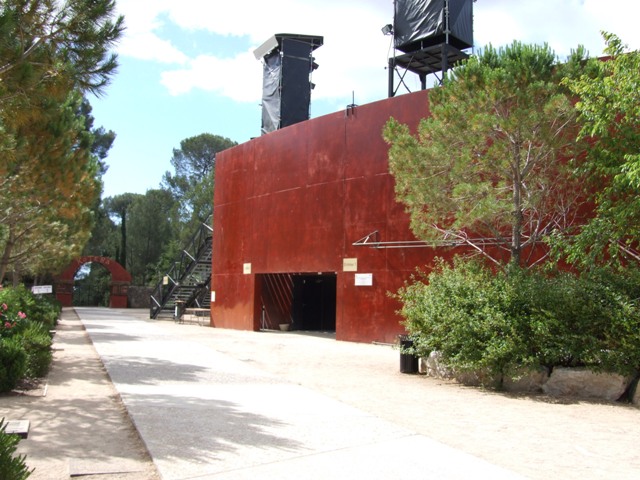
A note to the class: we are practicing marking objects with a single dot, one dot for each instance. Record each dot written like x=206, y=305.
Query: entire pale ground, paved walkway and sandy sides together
x=224, y=404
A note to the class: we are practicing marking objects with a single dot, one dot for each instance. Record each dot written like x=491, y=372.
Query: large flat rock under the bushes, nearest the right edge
x=584, y=383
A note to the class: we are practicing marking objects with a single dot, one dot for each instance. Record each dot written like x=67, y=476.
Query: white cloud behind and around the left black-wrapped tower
x=354, y=48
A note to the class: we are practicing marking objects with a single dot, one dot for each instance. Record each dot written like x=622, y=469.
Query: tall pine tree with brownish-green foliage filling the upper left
x=52, y=53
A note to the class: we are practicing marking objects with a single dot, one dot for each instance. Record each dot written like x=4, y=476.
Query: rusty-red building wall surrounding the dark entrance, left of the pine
x=296, y=199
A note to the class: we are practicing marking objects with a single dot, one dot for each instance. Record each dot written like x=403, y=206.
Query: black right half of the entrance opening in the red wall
x=314, y=302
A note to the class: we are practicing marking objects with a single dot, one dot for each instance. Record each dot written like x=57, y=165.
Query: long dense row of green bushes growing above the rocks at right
x=500, y=322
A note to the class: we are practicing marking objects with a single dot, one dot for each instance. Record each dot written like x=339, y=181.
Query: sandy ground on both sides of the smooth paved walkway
x=81, y=428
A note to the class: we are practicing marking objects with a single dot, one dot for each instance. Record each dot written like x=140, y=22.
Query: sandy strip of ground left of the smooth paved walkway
x=78, y=425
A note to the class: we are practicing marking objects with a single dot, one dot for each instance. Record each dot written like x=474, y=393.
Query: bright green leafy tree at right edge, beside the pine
x=609, y=107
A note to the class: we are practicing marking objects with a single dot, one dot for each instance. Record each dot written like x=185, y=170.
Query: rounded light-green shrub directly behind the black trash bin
x=462, y=313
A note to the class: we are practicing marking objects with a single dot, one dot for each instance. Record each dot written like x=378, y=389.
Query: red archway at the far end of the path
x=120, y=281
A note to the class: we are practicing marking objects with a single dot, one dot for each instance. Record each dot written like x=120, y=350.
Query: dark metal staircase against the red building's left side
x=187, y=284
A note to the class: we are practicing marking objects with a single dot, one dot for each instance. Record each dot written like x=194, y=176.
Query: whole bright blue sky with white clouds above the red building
x=187, y=66
